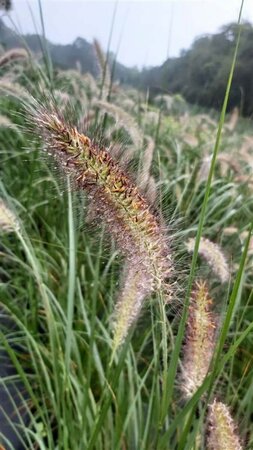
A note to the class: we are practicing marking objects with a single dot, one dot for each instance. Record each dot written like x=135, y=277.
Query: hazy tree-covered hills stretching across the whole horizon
x=200, y=74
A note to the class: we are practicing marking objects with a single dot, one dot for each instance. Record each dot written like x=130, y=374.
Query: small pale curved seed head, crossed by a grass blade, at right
x=213, y=255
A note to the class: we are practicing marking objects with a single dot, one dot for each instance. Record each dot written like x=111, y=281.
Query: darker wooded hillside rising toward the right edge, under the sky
x=200, y=74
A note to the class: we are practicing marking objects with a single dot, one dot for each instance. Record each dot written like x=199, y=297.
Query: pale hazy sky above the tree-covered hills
x=144, y=32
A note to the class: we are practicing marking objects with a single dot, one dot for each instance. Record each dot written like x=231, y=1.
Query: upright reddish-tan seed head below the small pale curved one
x=200, y=340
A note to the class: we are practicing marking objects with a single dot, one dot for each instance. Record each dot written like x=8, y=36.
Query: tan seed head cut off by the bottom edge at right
x=222, y=431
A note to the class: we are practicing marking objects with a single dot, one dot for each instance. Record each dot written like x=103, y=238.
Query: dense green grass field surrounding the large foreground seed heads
x=60, y=271
